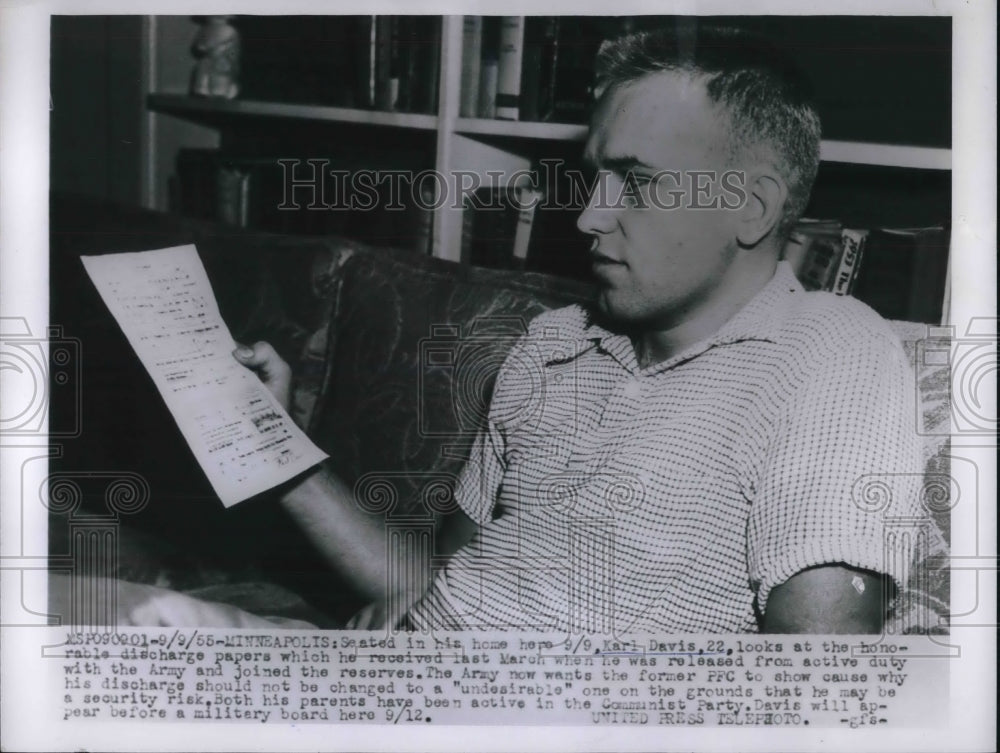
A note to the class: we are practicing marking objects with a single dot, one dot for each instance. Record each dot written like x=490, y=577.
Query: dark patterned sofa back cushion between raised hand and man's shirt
x=413, y=350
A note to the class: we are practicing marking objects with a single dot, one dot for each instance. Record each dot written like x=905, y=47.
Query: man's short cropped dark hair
x=768, y=100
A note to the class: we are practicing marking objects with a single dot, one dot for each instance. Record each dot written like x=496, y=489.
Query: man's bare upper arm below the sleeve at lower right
x=828, y=599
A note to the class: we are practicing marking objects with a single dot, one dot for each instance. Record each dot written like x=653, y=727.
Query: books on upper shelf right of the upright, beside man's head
x=531, y=68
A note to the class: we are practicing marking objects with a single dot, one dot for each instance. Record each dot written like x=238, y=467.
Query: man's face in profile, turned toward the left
x=657, y=265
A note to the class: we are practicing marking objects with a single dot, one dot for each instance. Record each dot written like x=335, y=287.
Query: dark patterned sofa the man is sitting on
x=394, y=357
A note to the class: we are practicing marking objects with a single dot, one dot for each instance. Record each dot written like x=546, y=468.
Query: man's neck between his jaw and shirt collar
x=657, y=345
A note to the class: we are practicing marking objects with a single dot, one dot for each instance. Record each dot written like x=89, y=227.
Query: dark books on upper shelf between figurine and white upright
x=387, y=63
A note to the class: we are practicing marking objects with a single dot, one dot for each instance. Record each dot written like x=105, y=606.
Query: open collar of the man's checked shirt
x=758, y=320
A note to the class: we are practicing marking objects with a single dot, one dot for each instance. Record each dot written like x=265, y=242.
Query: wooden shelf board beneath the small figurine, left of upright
x=212, y=111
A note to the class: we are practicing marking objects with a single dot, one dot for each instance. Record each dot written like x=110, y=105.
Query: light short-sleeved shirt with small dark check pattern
x=614, y=498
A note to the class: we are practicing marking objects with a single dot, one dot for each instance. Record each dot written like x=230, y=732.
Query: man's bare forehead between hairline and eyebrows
x=656, y=120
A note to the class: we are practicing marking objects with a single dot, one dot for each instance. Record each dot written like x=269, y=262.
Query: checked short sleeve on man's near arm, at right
x=841, y=481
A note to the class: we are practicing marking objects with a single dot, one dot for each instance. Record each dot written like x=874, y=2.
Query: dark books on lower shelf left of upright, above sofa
x=254, y=192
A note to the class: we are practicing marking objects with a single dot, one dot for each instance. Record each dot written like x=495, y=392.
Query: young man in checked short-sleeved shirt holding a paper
x=736, y=412
